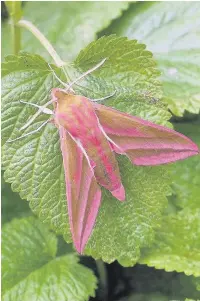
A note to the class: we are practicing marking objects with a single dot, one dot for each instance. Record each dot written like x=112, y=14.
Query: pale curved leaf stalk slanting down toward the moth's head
x=35, y=31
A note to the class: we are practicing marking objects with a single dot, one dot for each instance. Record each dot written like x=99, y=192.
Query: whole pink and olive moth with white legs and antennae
x=90, y=136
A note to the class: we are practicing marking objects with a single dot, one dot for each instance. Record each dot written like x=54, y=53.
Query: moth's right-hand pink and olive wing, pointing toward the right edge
x=144, y=142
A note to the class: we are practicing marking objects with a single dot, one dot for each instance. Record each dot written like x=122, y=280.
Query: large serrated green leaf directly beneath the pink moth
x=34, y=164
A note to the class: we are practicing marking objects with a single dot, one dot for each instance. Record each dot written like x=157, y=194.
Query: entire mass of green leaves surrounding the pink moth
x=155, y=77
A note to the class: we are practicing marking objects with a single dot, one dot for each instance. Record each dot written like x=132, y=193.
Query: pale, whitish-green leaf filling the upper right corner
x=171, y=30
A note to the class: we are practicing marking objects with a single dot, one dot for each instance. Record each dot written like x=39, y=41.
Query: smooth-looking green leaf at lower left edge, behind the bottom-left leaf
x=27, y=245
